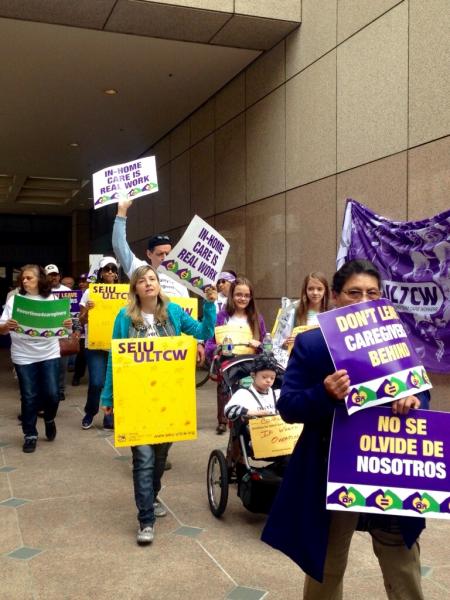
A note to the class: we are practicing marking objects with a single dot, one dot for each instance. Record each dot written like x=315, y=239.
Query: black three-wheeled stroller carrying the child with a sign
x=256, y=485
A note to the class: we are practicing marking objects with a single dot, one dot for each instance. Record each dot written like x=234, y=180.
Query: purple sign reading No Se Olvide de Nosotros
x=381, y=462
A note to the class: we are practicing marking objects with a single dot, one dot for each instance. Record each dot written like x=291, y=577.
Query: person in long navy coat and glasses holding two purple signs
x=299, y=525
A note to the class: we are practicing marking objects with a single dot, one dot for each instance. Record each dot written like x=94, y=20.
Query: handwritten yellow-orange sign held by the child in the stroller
x=271, y=436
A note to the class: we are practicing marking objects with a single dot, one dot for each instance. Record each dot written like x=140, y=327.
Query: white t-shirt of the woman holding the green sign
x=26, y=350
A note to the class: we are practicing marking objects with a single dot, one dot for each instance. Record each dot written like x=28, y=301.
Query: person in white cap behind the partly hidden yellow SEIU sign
x=96, y=360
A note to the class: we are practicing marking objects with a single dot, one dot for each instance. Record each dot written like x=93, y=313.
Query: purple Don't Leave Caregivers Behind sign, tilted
x=369, y=341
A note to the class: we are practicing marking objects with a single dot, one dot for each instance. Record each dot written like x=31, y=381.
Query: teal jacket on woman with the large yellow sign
x=181, y=322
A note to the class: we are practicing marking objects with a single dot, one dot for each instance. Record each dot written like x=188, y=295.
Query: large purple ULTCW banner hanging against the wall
x=414, y=261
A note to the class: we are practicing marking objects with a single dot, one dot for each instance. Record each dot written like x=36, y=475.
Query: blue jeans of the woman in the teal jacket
x=148, y=468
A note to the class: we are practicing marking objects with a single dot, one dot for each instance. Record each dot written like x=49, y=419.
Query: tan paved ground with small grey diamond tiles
x=67, y=523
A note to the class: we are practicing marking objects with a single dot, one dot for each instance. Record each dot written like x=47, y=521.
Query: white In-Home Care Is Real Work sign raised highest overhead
x=126, y=181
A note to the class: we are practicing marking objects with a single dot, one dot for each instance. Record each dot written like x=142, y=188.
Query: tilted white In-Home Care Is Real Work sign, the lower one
x=198, y=258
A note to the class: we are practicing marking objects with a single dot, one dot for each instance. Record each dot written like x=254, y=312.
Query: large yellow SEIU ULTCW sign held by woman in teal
x=154, y=390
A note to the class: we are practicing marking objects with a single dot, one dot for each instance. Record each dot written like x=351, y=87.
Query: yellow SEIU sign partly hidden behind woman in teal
x=108, y=300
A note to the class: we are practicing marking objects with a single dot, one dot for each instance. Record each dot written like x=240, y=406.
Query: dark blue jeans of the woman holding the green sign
x=39, y=388
